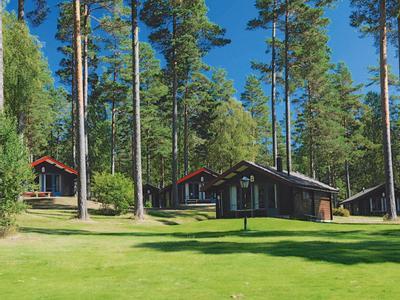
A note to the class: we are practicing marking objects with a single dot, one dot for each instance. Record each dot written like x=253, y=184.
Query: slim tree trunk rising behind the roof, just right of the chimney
x=287, y=100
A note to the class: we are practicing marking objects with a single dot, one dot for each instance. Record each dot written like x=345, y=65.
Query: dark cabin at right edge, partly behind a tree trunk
x=370, y=202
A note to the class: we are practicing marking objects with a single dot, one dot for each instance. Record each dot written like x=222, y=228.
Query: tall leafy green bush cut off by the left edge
x=16, y=175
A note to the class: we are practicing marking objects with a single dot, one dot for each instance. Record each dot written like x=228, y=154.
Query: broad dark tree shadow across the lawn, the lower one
x=346, y=253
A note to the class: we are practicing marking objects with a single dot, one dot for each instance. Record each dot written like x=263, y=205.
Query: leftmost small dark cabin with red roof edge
x=54, y=178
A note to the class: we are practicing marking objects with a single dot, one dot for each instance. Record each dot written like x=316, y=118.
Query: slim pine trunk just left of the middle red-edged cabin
x=175, y=199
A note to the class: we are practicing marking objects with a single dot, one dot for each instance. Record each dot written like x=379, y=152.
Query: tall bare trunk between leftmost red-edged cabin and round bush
x=83, y=213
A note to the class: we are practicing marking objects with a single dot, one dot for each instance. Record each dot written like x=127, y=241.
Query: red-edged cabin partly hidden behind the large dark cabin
x=190, y=189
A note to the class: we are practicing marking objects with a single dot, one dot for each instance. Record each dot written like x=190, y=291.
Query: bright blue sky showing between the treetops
x=345, y=42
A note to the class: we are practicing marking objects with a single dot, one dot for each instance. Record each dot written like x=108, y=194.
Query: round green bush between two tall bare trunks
x=113, y=191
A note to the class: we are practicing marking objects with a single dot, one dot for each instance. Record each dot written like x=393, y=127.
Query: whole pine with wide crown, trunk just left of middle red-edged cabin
x=183, y=33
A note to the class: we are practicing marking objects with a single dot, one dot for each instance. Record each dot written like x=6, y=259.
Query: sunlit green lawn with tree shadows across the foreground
x=188, y=255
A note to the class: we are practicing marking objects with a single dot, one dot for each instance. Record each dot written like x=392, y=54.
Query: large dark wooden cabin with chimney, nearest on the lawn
x=270, y=192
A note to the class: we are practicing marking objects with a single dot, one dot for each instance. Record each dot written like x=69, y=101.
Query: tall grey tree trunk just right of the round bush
x=137, y=143
